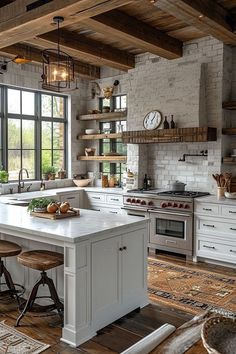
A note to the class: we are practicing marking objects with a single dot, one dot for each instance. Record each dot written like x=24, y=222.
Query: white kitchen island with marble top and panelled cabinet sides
x=104, y=273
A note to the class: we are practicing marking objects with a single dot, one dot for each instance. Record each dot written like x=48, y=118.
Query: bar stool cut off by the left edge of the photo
x=9, y=249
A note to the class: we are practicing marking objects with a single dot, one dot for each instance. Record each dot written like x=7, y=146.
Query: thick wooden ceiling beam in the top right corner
x=205, y=15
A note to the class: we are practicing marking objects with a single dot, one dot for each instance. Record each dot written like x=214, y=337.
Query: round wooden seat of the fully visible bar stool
x=41, y=259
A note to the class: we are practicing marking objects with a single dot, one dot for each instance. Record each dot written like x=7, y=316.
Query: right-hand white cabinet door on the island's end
x=134, y=257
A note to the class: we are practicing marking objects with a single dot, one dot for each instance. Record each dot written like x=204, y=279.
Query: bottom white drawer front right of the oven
x=217, y=251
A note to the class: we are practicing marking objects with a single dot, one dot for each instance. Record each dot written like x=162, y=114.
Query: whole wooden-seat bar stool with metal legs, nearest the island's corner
x=41, y=260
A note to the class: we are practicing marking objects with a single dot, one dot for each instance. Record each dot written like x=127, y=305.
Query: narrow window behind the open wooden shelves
x=113, y=145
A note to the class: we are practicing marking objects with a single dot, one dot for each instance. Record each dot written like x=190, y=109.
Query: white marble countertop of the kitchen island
x=72, y=229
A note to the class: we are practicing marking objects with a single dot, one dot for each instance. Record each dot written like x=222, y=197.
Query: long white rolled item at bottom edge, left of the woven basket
x=148, y=343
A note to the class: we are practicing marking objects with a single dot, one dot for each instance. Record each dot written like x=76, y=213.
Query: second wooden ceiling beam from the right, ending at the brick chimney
x=136, y=33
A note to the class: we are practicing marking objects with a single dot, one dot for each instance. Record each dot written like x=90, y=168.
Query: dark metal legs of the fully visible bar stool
x=33, y=296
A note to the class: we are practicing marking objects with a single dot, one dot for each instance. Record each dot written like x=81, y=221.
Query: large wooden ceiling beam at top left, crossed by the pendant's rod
x=20, y=20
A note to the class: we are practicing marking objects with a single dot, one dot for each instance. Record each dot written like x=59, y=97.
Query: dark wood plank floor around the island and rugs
x=116, y=337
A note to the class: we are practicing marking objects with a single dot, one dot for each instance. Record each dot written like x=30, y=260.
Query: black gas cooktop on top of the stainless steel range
x=156, y=191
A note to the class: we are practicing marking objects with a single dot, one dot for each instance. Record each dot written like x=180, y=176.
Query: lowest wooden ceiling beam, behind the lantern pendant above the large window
x=83, y=70
